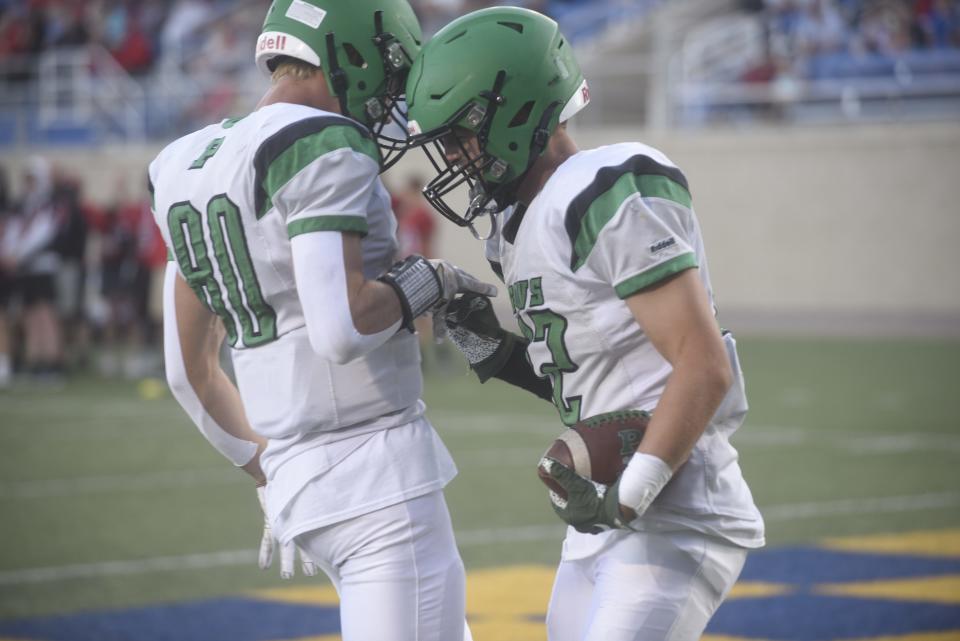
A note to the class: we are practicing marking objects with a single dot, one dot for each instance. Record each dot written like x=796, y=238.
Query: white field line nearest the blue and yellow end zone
x=465, y=538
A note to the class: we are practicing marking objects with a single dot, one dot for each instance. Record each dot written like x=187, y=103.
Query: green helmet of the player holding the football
x=506, y=75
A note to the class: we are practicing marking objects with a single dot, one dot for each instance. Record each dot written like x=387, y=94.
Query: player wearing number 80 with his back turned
x=282, y=241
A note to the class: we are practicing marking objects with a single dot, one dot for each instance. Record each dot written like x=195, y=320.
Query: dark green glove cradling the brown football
x=590, y=507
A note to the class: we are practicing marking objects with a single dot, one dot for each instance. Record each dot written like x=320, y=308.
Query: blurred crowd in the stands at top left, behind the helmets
x=193, y=59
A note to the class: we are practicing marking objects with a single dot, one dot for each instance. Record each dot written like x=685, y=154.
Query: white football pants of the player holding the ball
x=644, y=587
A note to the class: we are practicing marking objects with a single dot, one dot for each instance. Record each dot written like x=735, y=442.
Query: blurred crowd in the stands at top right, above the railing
x=820, y=37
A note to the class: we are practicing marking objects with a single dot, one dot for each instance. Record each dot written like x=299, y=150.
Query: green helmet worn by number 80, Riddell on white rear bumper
x=365, y=48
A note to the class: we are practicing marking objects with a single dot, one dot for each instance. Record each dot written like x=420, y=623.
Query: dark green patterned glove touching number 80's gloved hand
x=473, y=328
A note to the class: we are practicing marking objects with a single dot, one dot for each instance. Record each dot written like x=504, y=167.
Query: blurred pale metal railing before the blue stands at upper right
x=706, y=83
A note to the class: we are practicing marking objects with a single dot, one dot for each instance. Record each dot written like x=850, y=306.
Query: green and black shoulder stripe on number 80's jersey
x=281, y=156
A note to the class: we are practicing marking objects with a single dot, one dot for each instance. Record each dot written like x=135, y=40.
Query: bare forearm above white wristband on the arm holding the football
x=700, y=378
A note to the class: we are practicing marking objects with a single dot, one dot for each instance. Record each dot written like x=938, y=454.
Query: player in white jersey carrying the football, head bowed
x=607, y=276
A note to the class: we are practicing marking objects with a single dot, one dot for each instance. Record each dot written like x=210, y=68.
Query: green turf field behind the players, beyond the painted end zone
x=108, y=499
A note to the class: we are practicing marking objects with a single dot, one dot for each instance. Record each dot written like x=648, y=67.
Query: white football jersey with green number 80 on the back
x=228, y=199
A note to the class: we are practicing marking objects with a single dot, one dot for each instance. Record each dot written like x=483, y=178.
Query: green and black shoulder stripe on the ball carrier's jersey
x=593, y=207
